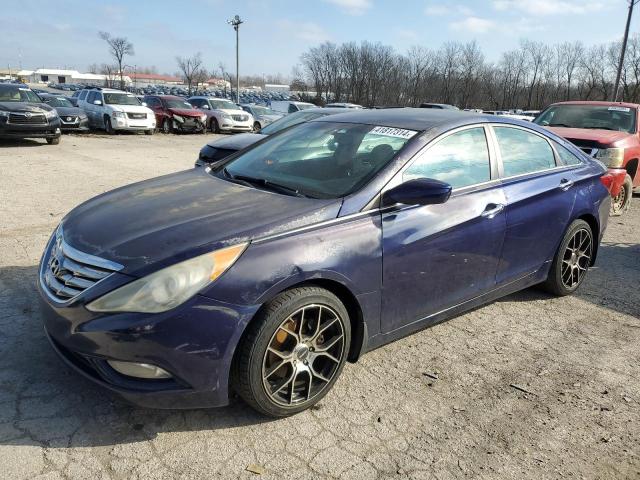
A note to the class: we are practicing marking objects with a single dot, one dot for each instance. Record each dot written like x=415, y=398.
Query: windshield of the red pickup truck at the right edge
x=604, y=117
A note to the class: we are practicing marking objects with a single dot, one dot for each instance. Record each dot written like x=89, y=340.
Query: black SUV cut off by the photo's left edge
x=24, y=115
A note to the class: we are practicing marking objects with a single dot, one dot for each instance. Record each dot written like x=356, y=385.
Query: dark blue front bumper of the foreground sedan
x=194, y=342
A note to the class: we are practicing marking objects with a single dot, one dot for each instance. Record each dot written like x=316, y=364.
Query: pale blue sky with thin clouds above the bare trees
x=65, y=33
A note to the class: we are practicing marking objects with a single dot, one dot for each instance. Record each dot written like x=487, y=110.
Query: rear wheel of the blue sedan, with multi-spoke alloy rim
x=572, y=260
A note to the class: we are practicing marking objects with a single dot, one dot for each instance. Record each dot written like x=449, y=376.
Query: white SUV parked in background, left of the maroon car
x=113, y=110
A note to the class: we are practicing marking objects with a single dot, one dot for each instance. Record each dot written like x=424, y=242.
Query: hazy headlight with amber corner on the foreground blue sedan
x=169, y=287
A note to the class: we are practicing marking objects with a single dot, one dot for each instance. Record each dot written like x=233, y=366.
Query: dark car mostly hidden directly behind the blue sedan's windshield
x=216, y=150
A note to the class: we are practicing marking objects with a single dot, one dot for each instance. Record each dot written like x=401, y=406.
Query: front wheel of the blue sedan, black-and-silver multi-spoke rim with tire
x=259, y=366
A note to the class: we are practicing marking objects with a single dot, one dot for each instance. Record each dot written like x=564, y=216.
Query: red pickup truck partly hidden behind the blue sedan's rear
x=607, y=131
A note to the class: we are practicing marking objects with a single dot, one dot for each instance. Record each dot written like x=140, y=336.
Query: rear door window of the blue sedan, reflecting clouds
x=523, y=152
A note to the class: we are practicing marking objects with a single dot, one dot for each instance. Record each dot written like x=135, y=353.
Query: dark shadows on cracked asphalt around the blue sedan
x=43, y=402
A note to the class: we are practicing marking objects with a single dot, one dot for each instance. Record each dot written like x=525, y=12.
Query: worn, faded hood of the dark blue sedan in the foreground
x=155, y=223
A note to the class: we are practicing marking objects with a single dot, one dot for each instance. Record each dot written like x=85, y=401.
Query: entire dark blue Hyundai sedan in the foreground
x=264, y=275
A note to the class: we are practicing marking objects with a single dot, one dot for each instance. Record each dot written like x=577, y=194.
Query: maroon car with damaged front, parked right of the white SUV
x=176, y=114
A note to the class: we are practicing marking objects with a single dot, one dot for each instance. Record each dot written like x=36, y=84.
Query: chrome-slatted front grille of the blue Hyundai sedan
x=66, y=272
